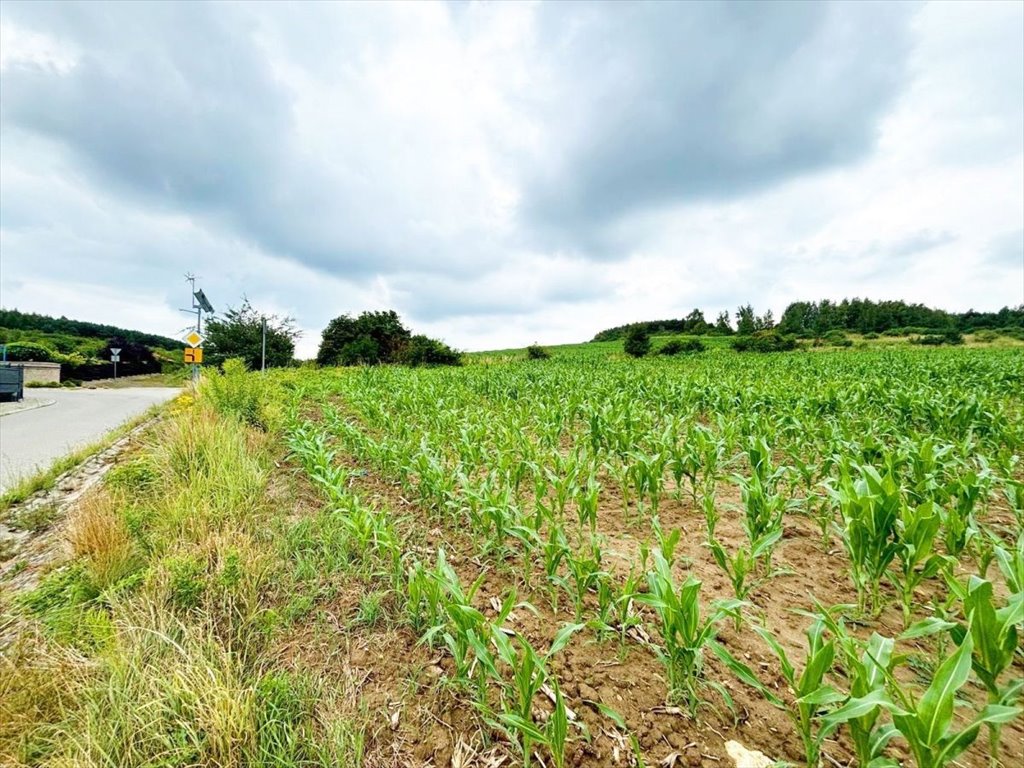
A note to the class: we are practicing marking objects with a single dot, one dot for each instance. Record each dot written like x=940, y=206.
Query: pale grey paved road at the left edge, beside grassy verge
x=31, y=441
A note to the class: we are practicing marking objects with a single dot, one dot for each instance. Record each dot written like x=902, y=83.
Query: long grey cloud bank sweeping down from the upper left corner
x=177, y=107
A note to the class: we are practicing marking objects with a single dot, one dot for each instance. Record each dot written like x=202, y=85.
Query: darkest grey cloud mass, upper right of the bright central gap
x=677, y=102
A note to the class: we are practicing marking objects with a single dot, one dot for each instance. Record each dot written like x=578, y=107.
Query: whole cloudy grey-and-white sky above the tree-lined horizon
x=508, y=174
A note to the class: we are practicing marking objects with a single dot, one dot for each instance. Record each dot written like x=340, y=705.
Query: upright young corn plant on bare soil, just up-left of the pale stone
x=686, y=633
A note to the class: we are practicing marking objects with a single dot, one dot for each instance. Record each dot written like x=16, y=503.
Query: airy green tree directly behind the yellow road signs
x=239, y=334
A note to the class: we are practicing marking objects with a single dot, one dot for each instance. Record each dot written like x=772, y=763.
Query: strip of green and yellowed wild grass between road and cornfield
x=154, y=645
